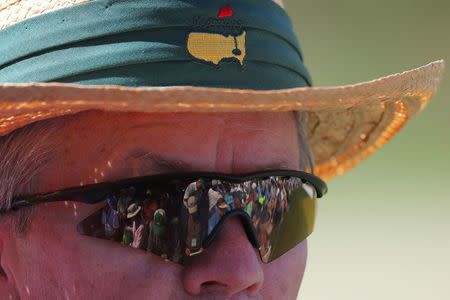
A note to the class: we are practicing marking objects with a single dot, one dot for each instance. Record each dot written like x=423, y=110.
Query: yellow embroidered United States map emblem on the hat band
x=214, y=47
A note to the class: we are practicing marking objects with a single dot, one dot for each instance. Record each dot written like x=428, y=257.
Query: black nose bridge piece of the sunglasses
x=245, y=221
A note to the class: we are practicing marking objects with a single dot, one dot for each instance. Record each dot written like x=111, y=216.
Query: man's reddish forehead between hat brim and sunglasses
x=97, y=146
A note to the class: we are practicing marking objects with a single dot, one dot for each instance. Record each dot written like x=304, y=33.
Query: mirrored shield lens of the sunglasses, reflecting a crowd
x=173, y=219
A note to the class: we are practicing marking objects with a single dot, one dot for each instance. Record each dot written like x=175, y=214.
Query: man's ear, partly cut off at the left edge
x=8, y=288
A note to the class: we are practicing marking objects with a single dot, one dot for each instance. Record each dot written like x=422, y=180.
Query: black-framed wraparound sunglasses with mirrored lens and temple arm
x=177, y=216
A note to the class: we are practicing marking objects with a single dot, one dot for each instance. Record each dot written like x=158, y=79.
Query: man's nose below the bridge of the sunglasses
x=230, y=266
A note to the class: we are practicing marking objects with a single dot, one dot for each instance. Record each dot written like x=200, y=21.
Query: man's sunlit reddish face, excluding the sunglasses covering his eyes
x=53, y=261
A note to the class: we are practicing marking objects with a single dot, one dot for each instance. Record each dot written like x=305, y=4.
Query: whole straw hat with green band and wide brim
x=345, y=123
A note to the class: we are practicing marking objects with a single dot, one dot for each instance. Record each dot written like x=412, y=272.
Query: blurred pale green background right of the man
x=383, y=231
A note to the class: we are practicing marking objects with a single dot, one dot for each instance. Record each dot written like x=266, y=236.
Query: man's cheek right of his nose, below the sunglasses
x=283, y=277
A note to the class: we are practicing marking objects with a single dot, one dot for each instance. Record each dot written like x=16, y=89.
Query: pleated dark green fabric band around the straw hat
x=247, y=44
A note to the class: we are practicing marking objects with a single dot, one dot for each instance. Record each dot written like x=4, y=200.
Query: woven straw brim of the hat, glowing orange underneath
x=345, y=124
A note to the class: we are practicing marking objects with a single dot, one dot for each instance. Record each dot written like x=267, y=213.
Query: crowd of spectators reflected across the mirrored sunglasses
x=151, y=219
